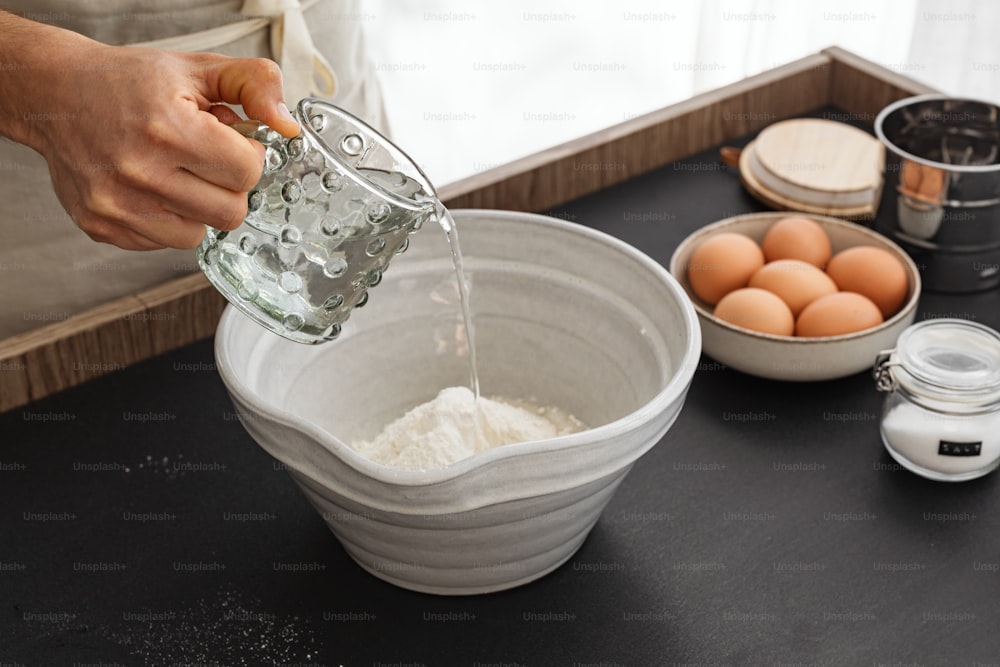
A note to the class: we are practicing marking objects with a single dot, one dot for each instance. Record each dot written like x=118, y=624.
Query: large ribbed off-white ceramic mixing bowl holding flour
x=564, y=315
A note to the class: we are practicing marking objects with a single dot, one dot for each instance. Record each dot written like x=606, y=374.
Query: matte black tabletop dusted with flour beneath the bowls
x=140, y=525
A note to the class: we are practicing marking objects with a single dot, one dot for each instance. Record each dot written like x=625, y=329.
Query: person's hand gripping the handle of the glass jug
x=138, y=147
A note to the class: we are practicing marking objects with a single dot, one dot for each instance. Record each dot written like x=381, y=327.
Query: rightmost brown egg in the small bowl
x=871, y=271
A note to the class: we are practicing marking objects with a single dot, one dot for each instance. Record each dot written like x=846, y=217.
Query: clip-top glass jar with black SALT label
x=941, y=418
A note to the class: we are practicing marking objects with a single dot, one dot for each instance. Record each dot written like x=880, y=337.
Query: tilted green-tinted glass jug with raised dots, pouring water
x=331, y=209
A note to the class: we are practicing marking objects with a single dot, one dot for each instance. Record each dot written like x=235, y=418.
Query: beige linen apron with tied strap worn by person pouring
x=49, y=269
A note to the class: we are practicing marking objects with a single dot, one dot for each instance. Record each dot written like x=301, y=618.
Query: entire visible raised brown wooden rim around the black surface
x=127, y=330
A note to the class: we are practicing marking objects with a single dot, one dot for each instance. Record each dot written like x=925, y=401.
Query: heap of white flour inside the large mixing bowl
x=454, y=426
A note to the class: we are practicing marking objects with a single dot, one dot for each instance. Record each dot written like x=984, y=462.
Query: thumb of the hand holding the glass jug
x=254, y=83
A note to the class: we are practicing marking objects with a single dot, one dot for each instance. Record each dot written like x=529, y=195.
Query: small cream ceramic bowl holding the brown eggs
x=790, y=357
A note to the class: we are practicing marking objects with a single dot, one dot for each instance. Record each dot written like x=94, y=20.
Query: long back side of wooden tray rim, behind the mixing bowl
x=598, y=160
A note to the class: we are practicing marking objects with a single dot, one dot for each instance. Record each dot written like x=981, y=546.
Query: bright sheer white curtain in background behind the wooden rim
x=470, y=85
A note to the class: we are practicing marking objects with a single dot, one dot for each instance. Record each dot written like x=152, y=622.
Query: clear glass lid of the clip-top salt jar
x=950, y=356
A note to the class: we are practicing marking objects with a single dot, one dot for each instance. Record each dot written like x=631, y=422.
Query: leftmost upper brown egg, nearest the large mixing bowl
x=723, y=263
